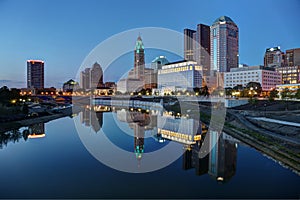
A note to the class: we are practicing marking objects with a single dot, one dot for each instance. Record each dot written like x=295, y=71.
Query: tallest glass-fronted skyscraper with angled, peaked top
x=224, y=44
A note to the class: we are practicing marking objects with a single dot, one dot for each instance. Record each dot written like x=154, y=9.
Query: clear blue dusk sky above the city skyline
x=64, y=32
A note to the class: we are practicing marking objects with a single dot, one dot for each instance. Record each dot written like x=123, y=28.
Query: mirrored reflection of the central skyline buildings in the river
x=219, y=163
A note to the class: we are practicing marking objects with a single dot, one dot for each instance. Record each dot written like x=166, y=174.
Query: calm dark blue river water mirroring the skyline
x=58, y=164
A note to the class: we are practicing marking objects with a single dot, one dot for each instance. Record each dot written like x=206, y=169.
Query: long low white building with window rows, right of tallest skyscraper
x=242, y=76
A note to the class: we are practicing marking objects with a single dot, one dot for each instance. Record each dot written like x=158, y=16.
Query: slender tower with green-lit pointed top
x=139, y=59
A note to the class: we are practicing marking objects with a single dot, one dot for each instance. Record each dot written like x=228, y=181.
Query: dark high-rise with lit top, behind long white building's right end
x=274, y=57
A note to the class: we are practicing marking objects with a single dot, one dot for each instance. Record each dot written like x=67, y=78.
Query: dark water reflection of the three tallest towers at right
x=219, y=163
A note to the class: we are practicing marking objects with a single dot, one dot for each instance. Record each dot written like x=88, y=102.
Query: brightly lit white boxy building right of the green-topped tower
x=179, y=76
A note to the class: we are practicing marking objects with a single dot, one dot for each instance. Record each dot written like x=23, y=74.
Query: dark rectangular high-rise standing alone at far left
x=35, y=74
